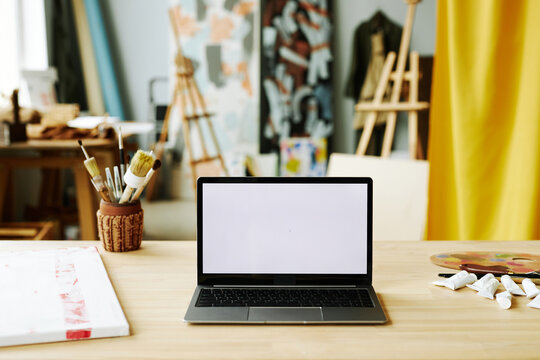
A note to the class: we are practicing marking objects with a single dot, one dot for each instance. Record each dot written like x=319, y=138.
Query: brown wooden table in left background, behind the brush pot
x=60, y=154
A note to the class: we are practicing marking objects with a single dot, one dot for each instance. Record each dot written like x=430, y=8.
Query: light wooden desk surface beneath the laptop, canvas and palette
x=155, y=284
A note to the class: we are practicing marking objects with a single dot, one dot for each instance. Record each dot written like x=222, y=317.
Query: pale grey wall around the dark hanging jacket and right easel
x=348, y=14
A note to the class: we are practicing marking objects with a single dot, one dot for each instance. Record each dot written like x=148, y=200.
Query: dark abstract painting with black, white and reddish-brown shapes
x=296, y=60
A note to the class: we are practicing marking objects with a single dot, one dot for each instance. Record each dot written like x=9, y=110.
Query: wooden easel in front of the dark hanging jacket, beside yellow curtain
x=394, y=105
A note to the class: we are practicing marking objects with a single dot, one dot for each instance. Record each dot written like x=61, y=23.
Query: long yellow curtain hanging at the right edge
x=484, y=147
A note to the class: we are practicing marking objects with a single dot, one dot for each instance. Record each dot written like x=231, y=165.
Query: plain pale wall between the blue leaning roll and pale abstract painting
x=138, y=33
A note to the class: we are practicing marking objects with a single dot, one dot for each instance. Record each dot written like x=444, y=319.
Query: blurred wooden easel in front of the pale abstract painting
x=191, y=107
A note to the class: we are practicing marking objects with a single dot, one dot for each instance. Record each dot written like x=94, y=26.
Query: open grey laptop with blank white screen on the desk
x=284, y=250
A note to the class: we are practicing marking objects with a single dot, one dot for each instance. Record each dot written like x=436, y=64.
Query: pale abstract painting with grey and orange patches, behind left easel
x=221, y=38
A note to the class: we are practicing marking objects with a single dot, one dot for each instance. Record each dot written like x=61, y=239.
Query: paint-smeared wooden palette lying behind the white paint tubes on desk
x=513, y=262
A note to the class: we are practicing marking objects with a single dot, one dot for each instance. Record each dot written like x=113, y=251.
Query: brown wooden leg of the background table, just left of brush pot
x=85, y=204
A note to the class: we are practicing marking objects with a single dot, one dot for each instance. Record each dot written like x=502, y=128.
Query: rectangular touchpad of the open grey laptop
x=284, y=314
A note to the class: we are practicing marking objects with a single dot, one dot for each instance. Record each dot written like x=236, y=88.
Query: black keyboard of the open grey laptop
x=284, y=297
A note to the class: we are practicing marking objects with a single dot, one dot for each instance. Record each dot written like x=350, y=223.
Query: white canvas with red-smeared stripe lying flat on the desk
x=57, y=295
